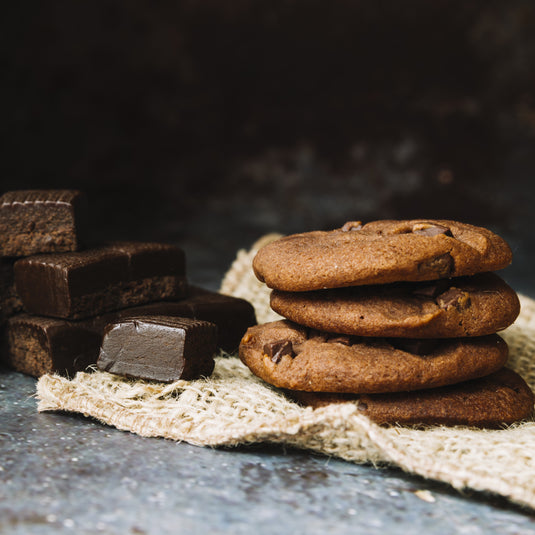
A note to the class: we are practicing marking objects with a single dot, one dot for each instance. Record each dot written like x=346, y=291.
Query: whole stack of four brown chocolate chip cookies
x=400, y=316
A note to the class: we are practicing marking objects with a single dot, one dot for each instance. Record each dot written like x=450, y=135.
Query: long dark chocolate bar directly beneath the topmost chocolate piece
x=87, y=283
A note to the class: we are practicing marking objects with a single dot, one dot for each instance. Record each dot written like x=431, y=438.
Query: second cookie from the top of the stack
x=447, y=308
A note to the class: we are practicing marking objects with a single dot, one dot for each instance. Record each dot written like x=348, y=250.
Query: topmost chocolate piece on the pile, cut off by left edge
x=41, y=221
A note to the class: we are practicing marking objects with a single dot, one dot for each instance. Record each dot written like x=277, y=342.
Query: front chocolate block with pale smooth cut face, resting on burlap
x=160, y=348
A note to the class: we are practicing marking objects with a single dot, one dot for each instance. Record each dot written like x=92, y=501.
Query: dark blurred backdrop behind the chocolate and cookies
x=209, y=124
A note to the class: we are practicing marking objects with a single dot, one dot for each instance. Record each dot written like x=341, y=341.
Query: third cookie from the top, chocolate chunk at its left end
x=288, y=355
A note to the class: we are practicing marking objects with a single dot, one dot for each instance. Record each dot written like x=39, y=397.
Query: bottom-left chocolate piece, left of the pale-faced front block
x=35, y=345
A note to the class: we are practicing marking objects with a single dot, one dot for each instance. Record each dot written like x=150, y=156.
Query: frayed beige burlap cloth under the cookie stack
x=233, y=407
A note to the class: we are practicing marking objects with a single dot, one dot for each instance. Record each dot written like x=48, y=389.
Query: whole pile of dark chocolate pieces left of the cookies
x=126, y=305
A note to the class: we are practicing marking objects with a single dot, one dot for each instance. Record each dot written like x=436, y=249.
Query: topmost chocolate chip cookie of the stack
x=379, y=252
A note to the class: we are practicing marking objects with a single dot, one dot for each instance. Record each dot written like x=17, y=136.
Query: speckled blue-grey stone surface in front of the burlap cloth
x=67, y=474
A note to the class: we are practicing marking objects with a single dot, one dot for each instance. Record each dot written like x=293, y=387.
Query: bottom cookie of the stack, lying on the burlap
x=492, y=401
